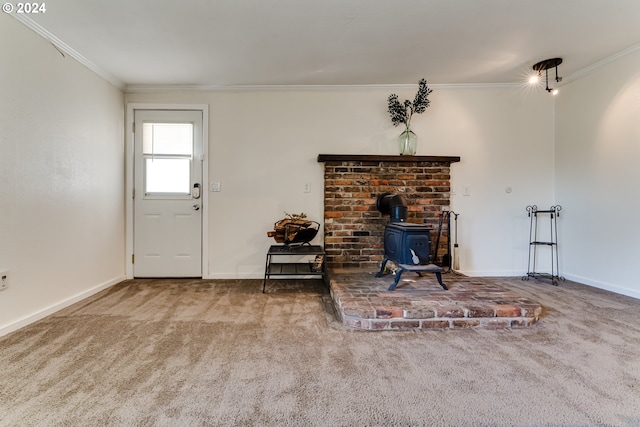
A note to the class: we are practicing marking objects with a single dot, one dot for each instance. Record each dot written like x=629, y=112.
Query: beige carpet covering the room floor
x=221, y=353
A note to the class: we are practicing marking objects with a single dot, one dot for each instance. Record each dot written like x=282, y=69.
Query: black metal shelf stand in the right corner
x=552, y=215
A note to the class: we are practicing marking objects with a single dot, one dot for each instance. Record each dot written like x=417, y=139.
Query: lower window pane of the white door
x=168, y=176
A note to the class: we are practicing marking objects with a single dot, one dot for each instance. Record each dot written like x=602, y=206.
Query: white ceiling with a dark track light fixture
x=220, y=43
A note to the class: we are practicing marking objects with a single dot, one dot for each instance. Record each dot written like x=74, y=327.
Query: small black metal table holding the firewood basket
x=290, y=267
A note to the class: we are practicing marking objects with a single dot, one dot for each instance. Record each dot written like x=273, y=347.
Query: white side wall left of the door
x=61, y=178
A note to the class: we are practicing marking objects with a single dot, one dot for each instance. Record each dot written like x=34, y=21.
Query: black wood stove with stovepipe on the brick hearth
x=408, y=245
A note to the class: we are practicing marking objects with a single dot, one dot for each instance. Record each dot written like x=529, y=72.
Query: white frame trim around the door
x=129, y=178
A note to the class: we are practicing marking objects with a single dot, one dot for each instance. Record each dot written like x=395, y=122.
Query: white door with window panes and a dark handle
x=167, y=228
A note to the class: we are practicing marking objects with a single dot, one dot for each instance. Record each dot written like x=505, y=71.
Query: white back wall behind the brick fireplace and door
x=263, y=148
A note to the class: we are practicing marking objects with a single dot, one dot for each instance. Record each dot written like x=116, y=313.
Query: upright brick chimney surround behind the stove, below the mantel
x=353, y=227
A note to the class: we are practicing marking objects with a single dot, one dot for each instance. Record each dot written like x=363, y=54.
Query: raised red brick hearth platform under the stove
x=363, y=302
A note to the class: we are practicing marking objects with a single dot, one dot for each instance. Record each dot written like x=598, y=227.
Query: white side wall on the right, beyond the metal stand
x=598, y=153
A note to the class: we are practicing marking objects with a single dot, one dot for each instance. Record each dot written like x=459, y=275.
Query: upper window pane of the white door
x=167, y=138
